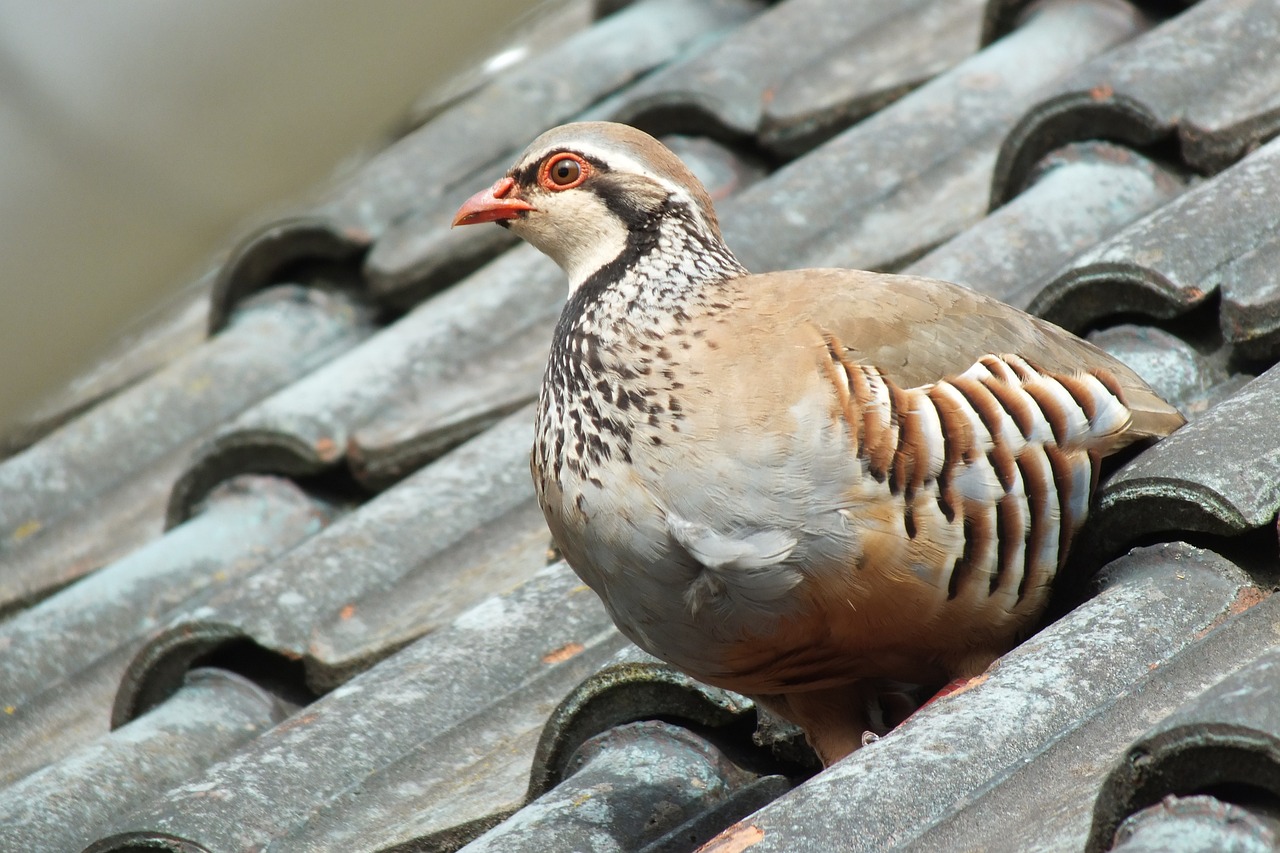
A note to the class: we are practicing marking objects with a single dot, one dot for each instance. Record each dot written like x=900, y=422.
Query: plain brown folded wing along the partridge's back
x=918, y=331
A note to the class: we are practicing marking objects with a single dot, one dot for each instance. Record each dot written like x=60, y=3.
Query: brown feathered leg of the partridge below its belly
x=836, y=720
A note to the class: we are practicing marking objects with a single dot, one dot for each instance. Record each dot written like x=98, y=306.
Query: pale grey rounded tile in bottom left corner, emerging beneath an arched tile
x=65, y=806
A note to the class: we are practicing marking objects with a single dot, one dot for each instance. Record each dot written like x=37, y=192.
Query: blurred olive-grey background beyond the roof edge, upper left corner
x=138, y=136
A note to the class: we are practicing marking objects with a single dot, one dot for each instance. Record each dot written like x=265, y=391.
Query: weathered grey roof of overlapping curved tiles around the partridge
x=380, y=653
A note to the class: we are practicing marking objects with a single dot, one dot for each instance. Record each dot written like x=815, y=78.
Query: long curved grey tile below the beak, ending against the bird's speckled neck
x=308, y=427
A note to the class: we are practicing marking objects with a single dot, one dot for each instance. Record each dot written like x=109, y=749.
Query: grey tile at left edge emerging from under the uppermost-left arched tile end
x=130, y=445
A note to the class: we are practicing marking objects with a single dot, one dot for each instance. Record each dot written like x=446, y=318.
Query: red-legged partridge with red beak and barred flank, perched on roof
x=812, y=486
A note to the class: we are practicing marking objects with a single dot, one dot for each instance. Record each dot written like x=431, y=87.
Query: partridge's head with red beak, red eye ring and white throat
x=593, y=193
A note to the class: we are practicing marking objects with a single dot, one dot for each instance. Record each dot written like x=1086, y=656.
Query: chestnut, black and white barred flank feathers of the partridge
x=1008, y=451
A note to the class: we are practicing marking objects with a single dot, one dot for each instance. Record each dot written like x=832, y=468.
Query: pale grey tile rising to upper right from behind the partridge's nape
x=918, y=172
